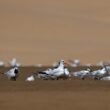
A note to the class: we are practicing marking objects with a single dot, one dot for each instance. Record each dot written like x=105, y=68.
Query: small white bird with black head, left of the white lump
x=12, y=74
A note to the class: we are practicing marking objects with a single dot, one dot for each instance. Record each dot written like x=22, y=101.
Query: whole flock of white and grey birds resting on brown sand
x=60, y=71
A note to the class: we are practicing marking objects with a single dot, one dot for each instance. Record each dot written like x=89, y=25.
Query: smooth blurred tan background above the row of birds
x=43, y=31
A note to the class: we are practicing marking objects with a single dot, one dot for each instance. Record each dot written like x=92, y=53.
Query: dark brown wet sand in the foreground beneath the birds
x=51, y=94
